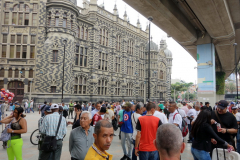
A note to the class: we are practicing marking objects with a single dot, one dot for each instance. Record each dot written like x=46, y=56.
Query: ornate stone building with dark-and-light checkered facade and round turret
x=105, y=56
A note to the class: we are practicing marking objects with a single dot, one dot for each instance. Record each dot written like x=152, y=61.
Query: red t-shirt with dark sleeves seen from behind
x=148, y=126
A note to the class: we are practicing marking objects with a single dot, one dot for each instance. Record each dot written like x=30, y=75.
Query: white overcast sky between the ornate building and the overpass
x=183, y=63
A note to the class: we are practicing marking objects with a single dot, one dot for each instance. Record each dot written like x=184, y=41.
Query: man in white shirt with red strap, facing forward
x=174, y=117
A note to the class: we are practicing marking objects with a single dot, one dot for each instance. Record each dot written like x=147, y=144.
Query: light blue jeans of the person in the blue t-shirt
x=127, y=136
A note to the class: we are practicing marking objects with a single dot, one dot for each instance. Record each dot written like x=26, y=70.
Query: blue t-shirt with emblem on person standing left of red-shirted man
x=127, y=122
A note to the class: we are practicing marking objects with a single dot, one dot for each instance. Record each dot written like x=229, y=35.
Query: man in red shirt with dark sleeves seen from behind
x=146, y=134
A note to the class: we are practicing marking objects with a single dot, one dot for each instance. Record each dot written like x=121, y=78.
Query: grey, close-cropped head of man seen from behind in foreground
x=169, y=147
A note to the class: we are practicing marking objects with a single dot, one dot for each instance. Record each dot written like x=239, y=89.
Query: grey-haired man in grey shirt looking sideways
x=81, y=138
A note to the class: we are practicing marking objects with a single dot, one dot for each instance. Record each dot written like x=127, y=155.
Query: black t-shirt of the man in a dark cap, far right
x=229, y=121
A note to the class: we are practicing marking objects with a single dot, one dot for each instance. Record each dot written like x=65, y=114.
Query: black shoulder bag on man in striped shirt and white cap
x=49, y=143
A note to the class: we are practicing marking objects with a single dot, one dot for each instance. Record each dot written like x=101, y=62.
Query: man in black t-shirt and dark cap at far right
x=227, y=121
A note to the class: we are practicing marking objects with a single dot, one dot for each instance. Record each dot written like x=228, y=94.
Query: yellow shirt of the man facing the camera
x=95, y=154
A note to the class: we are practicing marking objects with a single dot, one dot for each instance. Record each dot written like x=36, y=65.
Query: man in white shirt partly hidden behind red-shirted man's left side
x=134, y=118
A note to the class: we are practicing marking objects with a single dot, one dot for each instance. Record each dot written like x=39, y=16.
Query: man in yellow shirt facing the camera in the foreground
x=103, y=136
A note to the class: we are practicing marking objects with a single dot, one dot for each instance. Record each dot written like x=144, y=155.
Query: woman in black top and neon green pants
x=18, y=127
